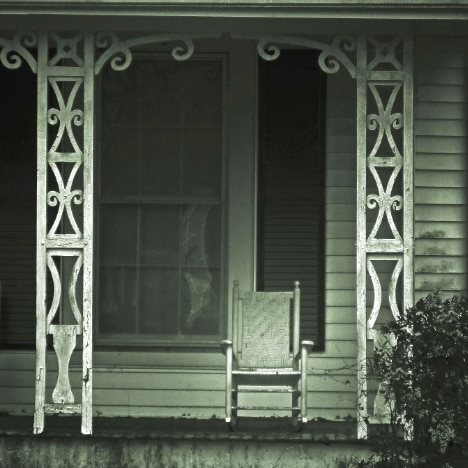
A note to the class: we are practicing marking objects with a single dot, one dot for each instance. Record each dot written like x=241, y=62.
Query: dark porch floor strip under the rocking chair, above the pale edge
x=271, y=429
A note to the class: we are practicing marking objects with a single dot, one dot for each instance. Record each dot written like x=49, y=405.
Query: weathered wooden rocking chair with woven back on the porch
x=260, y=357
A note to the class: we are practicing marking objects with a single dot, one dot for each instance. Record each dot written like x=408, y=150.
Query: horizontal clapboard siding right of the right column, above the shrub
x=441, y=105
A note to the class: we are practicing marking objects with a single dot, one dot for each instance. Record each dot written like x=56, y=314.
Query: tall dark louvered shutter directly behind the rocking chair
x=291, y=182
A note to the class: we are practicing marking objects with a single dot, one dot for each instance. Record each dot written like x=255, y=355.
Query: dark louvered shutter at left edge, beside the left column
x=17, y=207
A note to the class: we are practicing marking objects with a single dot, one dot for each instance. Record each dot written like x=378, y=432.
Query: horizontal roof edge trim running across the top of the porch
x=332, y=9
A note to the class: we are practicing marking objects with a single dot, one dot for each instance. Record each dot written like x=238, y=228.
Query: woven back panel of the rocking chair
x=265, y=332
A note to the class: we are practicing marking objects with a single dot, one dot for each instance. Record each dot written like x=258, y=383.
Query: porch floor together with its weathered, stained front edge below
x=160, y=443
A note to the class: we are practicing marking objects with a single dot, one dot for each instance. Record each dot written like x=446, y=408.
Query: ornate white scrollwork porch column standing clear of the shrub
x=64, y=275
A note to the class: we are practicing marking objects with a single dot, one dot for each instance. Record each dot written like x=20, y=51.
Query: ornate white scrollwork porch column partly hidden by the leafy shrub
x=384, y=188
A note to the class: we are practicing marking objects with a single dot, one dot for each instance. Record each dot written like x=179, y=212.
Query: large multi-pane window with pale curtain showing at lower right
x=161, y=203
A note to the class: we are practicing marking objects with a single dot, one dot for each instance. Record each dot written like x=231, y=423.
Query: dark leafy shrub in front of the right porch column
x=426, y=386
